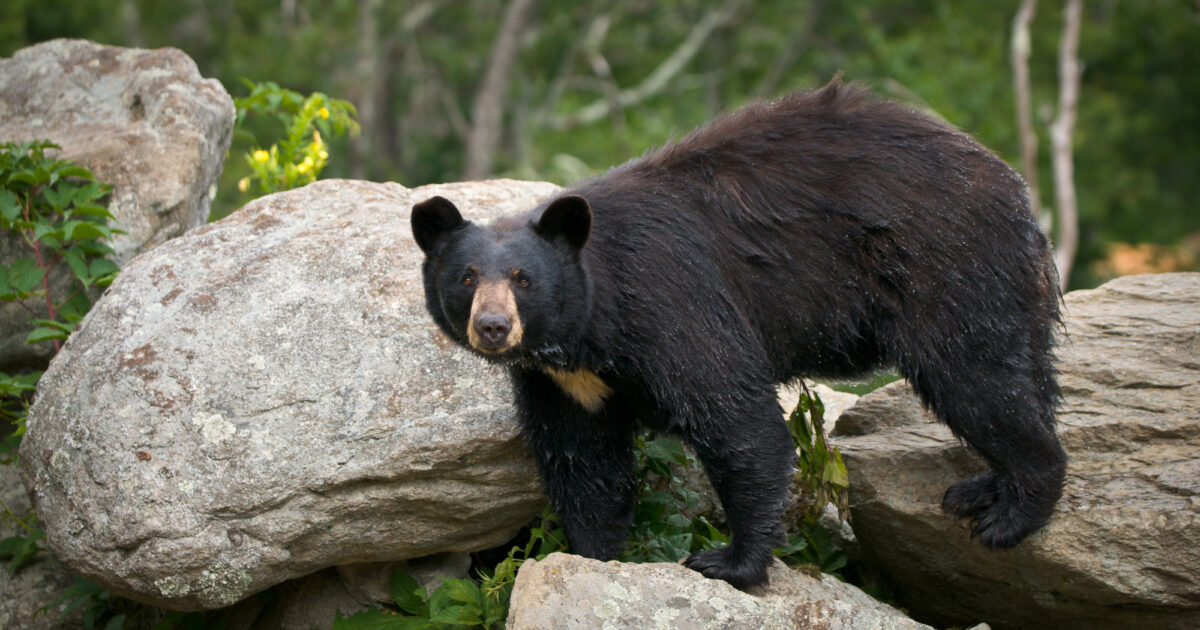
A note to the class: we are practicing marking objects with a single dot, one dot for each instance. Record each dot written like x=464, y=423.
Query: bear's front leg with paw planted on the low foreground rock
x=748, y=453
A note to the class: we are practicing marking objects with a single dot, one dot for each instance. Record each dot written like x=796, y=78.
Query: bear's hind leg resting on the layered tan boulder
x=1007, y=417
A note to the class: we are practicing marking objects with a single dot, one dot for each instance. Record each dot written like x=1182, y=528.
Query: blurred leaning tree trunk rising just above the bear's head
x=484, y=139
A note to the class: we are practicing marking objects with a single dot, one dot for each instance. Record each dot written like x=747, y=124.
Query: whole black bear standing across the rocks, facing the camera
x=823, y=235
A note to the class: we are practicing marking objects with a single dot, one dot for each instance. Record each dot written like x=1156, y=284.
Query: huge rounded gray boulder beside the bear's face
x=266, y=397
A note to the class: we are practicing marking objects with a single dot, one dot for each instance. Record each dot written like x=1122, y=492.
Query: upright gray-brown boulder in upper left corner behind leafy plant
x=145, y=122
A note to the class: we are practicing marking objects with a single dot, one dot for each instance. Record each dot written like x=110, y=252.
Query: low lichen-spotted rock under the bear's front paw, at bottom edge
x=567, y=592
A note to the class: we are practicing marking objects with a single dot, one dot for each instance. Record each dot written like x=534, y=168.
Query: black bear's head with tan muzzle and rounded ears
x=511, y=290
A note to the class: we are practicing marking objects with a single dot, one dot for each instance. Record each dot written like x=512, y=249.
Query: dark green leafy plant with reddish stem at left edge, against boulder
x=56, y=211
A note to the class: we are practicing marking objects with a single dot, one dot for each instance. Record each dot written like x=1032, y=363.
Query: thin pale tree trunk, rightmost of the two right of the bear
x=1070, y=74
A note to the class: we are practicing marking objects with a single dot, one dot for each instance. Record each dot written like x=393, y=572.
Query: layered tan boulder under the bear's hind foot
x=1124, y=548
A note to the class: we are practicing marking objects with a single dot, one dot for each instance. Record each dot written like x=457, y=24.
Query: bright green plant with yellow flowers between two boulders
x=299, y=158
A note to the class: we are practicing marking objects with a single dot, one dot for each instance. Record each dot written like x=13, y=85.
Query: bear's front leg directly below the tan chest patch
x=586, y=463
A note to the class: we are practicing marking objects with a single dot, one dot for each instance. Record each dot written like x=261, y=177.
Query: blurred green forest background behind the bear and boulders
x=559, y=91
